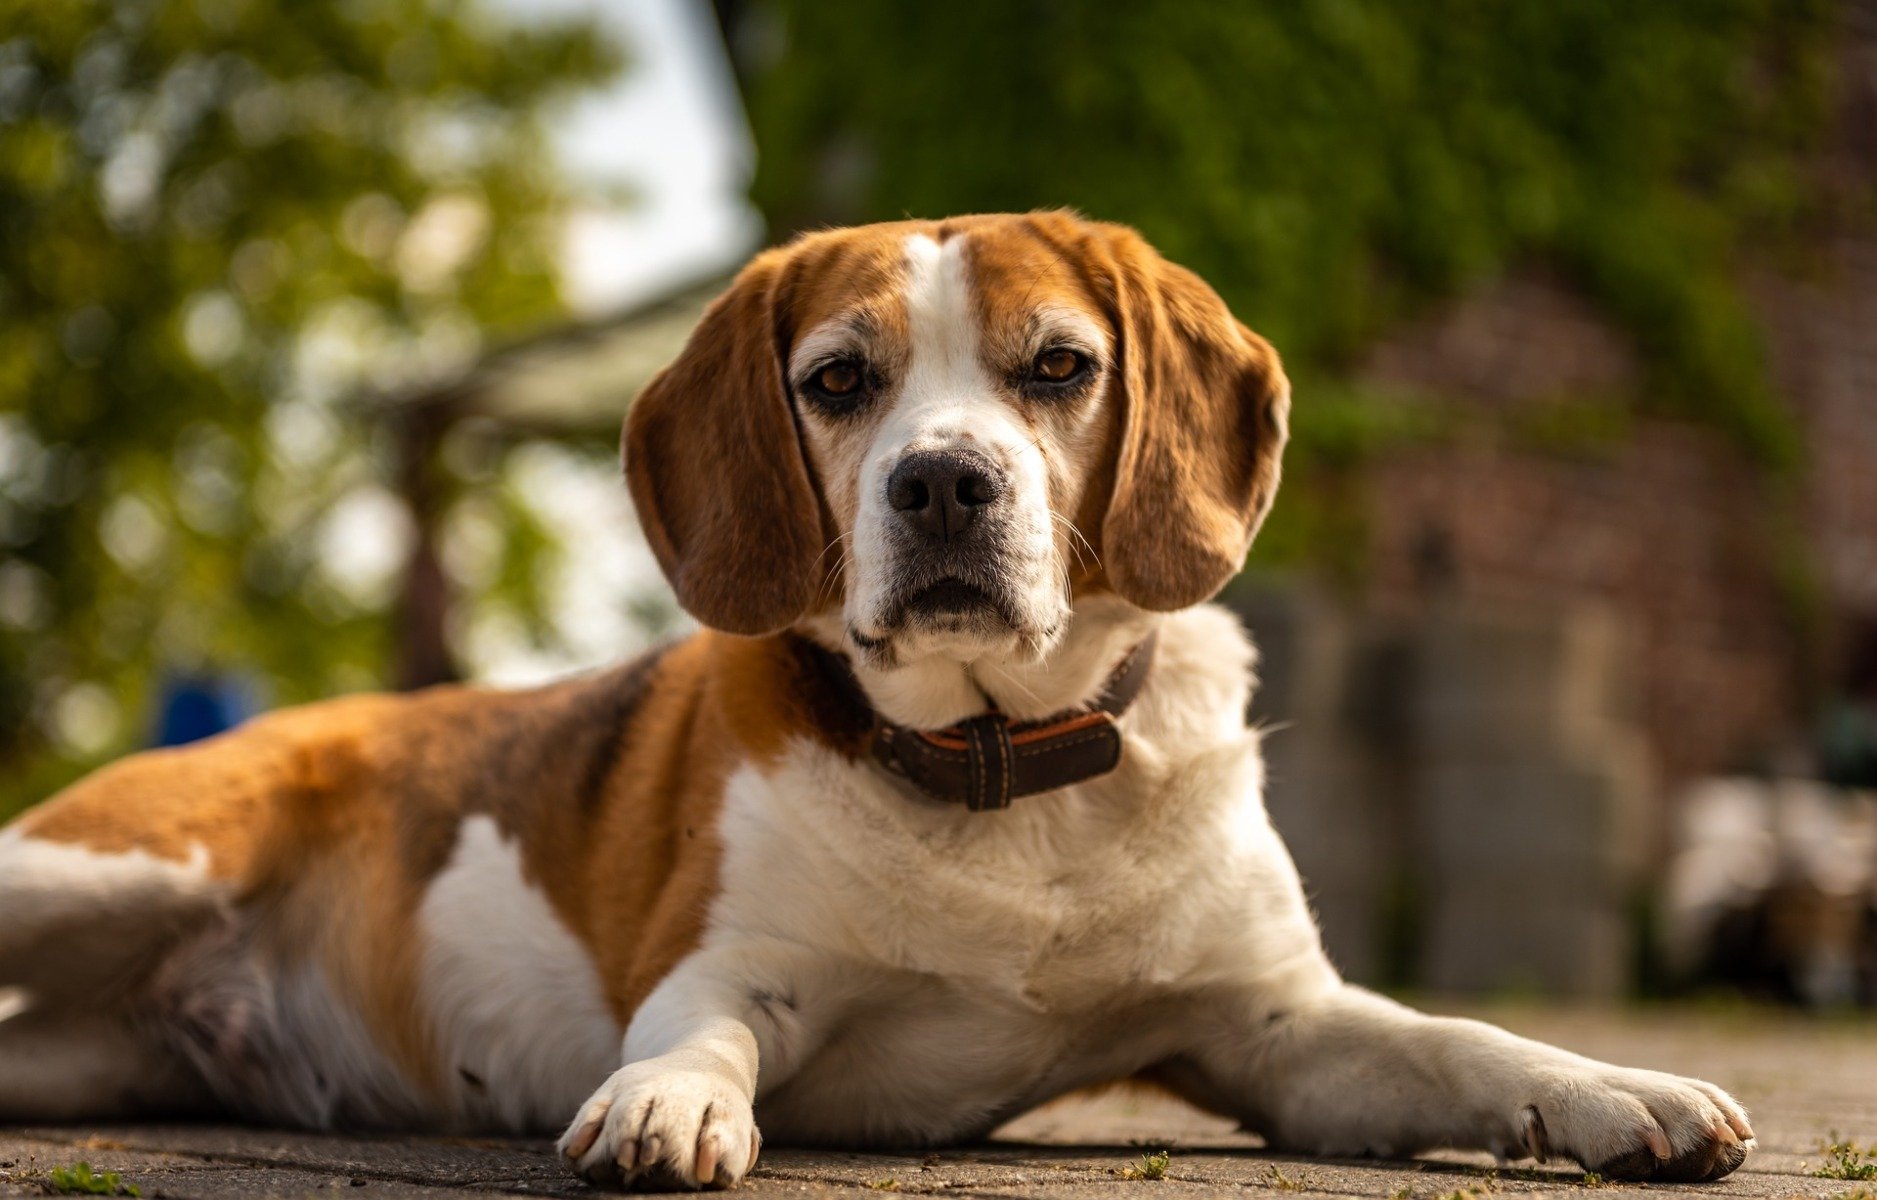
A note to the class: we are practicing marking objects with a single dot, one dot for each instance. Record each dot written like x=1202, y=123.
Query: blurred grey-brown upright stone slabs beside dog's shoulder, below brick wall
x=1463, y=793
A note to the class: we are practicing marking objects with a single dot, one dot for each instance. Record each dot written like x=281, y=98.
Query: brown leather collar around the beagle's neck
x=988, y=762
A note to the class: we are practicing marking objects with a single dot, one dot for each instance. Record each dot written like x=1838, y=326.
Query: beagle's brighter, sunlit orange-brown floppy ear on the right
x=1206, y=414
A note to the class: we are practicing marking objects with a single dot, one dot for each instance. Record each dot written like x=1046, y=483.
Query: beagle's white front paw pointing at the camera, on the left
x=658, y=1130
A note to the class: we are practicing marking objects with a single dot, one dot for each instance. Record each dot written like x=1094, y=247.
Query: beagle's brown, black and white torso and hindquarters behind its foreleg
x=448, y=895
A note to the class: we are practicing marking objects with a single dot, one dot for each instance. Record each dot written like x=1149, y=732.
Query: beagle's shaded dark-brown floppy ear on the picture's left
x=716, y=467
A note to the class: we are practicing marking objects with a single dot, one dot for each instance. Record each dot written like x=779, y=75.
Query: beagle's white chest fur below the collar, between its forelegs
x=921, y=970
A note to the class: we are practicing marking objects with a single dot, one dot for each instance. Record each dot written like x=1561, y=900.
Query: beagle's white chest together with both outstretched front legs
x=909, y=972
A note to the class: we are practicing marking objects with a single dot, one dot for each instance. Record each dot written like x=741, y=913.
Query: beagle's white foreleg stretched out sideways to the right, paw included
x=1351, y=1073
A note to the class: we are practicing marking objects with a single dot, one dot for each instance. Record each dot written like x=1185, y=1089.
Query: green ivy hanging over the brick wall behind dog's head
x=1330, y=166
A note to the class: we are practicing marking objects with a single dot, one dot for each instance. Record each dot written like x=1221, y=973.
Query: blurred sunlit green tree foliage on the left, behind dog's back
x=219, y=221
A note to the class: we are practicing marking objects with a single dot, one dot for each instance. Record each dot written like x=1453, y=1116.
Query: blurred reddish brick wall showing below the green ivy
x=1670, y=525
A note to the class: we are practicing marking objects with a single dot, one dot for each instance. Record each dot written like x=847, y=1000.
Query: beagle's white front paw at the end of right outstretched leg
x=1638, y=1126
